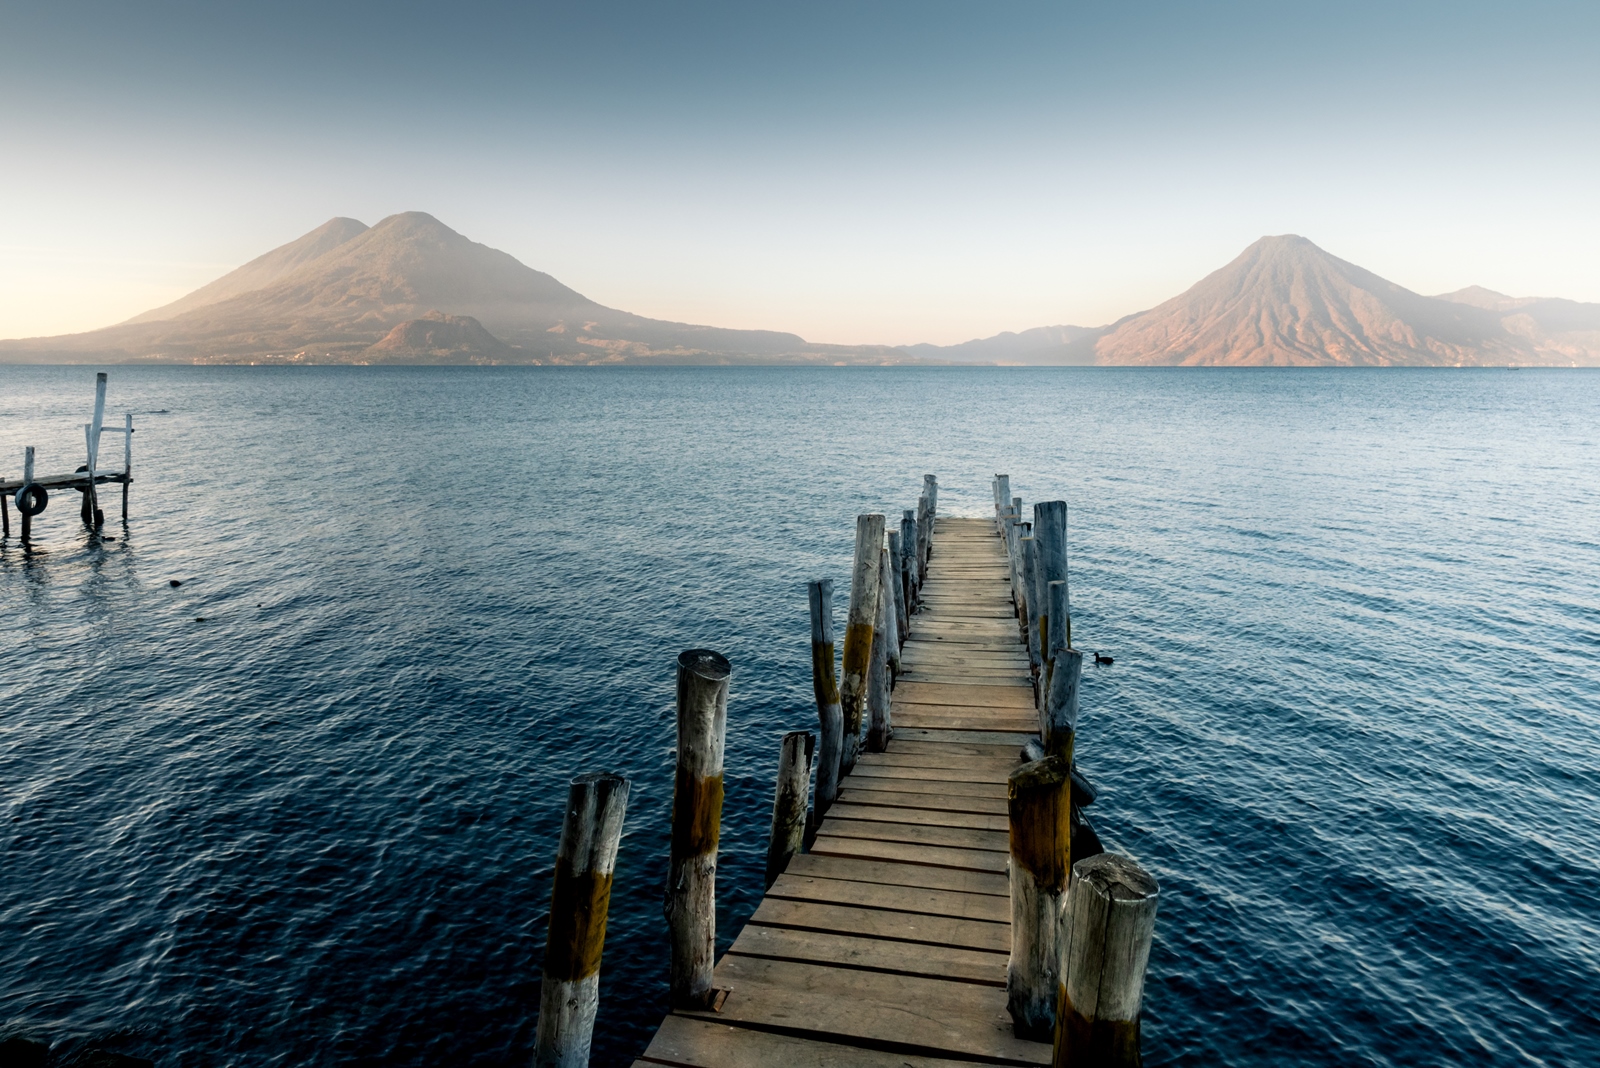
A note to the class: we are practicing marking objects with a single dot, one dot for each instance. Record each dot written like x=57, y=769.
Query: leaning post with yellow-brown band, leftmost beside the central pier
x=585, y=863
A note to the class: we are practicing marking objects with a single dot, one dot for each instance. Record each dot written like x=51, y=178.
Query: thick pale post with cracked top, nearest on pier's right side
x=1110, y=925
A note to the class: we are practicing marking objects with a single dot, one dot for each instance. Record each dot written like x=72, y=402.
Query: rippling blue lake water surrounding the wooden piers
x=1353, y=727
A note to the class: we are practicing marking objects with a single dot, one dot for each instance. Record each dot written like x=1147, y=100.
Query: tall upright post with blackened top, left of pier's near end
x=697, y=826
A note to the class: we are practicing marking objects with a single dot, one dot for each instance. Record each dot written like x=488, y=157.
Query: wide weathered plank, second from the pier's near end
x=924, y=1016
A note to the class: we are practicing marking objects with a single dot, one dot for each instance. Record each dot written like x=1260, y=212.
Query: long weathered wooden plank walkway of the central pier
x=887, y=944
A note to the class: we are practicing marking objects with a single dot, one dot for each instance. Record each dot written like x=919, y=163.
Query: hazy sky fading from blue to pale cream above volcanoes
x=849, y=172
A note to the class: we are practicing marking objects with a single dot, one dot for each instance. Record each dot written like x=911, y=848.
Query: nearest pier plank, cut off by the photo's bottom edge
x=698, y=1043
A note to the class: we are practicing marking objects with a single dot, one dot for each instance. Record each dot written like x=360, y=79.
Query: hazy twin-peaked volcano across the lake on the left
x=337, y=293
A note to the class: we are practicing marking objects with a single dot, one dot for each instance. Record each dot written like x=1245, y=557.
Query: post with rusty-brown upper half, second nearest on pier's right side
x=1041, y=810
